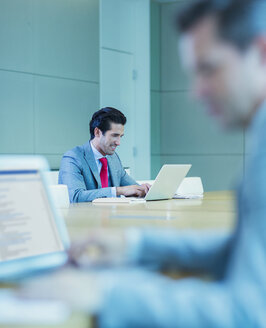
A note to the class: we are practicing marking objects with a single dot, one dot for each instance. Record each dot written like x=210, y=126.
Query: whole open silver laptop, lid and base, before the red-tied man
x=165, y=185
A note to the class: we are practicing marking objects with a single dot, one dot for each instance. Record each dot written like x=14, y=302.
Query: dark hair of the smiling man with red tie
x=103, y=118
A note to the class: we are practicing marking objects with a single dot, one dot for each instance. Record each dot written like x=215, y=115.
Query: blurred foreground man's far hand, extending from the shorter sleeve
x=100, y=247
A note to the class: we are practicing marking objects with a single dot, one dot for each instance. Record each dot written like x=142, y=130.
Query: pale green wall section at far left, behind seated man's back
x=49, y=75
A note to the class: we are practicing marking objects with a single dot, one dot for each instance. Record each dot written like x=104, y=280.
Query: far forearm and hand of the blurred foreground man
x=191, y=251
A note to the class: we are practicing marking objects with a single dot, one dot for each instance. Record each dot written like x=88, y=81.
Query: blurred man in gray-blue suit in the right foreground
x=223, y=44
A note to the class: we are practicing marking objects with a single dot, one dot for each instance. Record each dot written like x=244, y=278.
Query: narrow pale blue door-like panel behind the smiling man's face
x=125, y=76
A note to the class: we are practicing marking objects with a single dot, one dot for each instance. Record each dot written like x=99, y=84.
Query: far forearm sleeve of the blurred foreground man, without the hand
x=187, y=251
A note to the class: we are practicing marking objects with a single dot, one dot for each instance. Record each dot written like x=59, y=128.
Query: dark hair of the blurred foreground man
x=239, y=21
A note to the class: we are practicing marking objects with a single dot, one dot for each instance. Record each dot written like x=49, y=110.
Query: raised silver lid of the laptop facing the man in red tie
x=167, y=181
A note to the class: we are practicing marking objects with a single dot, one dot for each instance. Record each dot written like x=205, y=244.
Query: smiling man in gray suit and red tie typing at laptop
x=94, y=170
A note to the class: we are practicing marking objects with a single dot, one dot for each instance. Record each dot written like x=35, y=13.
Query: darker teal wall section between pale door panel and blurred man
x=187, y=134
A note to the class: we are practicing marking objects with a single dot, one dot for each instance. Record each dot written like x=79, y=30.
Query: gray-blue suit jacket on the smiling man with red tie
x=78, y=170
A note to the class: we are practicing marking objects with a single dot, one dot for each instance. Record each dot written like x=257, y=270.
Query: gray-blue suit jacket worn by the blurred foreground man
x=237, y=296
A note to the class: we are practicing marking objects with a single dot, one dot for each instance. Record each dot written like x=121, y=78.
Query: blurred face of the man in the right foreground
x=227, y=80
